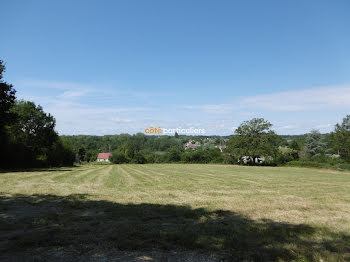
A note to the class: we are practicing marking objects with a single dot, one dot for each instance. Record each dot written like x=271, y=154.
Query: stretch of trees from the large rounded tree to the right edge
x=255, y=139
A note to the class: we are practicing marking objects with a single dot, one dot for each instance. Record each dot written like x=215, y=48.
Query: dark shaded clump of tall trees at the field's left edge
x=27, y=134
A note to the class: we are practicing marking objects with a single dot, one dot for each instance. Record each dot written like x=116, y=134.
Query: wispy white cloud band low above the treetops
x=81, y=108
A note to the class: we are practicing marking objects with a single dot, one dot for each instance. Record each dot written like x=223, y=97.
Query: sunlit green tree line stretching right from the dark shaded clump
x=253, y=143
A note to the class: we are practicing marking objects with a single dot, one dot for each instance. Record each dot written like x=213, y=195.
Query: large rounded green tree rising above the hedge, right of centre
x=254, y=139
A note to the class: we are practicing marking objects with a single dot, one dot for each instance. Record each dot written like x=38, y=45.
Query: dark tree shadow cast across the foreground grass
x=28, y=222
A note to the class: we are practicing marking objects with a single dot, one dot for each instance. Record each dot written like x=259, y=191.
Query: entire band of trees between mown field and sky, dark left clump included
x=28, y=139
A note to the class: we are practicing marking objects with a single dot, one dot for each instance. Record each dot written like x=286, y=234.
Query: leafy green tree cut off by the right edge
x=340, y=138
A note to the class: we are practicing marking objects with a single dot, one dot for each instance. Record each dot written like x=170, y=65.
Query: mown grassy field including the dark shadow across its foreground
x=175, y=212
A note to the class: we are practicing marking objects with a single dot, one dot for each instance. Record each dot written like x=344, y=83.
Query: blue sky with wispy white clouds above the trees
x=110, y=67
